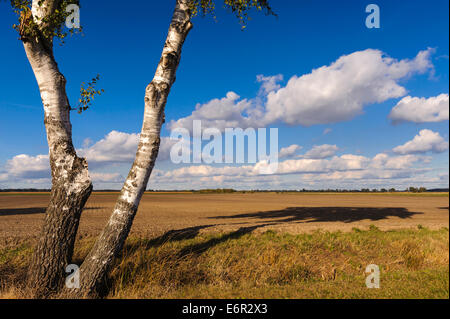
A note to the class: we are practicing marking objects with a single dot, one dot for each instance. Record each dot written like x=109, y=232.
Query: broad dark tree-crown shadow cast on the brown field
x=326, y=214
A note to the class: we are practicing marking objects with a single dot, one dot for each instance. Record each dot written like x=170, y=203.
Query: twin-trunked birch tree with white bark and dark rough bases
x=71, y=185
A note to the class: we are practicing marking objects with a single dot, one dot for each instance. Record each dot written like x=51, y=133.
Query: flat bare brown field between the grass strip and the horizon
x=21, y=215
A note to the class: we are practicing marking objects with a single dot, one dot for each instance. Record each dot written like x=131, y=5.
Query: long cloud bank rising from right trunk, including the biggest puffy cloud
x=329, y=94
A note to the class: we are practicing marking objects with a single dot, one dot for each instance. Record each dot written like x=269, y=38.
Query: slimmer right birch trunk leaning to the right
x=108, y=245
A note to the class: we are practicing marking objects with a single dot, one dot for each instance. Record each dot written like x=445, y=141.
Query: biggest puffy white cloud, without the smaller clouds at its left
x=340, y=91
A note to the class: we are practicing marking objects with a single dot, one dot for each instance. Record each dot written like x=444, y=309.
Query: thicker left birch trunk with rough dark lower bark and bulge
x=71, y=184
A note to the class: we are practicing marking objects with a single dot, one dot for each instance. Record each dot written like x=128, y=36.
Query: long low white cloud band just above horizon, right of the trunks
x=340, y=168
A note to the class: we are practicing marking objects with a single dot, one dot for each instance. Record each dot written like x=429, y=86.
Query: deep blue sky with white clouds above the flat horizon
x=123, y=43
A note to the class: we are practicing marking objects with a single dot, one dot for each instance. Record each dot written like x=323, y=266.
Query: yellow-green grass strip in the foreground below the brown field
x=413, y=264
